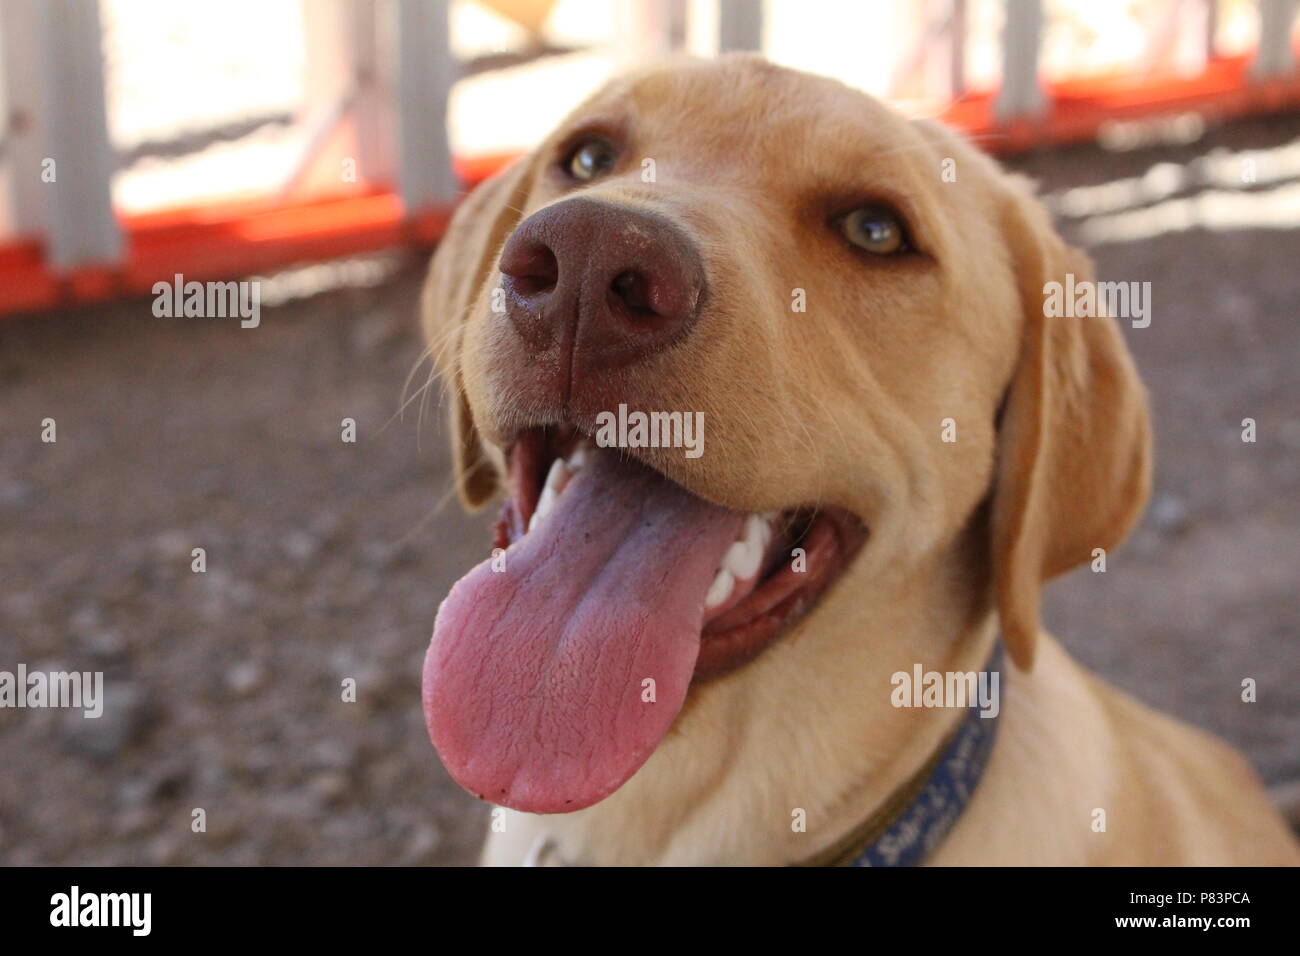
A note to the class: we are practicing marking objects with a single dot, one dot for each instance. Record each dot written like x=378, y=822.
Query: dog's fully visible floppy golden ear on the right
x=1074, y=440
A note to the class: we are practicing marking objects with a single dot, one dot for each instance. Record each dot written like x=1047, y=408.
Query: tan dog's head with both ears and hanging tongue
x=850, y=304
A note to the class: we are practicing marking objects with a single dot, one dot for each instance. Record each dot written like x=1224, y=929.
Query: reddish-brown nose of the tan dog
x=610, y=283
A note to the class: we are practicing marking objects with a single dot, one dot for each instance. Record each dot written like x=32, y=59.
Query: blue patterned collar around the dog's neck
x=917, y=819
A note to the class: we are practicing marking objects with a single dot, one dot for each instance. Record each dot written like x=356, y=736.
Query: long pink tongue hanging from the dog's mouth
x=535, y=684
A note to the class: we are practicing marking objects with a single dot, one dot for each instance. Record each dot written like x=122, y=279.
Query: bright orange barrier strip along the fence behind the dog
x=232, y=240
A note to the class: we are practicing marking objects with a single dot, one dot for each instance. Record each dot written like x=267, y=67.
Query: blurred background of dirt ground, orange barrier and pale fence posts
x=319, y=148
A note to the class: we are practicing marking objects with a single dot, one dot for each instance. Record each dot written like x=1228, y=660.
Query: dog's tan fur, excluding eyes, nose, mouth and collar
x=843, y=405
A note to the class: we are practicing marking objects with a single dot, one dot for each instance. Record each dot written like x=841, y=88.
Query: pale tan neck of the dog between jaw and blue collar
x=807, y=734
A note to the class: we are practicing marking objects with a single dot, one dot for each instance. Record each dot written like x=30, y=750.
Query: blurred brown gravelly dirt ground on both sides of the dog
x=327, y=561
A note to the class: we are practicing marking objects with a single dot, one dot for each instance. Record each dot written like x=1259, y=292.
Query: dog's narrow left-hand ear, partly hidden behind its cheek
x=463, y=263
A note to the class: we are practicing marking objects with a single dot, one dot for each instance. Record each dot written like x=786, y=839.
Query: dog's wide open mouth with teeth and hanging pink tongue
x=558, y=667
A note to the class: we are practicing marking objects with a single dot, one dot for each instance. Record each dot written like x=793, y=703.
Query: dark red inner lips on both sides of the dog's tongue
x=829, y=540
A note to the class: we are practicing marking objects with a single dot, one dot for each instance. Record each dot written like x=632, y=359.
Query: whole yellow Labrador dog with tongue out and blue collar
x=696, y=660
